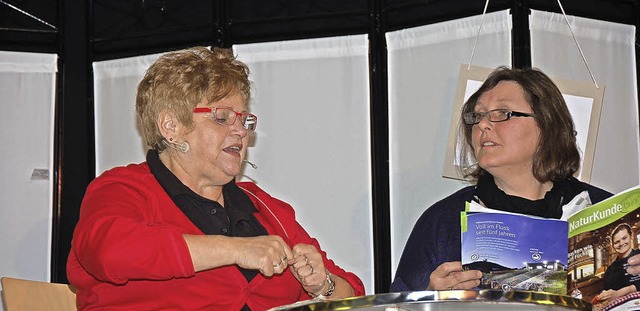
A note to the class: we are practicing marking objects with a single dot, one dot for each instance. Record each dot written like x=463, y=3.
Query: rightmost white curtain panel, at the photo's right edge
x=610, y=52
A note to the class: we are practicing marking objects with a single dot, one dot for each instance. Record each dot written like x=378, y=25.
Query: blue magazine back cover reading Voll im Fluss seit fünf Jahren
x=516, y=252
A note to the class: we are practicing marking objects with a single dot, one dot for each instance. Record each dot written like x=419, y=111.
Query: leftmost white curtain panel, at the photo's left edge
x=27, y=85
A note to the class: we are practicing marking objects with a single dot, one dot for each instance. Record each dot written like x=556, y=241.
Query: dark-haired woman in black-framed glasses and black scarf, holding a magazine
x=520, y=151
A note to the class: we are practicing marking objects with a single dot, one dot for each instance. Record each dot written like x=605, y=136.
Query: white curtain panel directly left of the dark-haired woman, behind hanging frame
x=424, y=65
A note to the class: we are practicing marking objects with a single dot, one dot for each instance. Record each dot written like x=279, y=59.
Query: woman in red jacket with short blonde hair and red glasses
x=177, y=232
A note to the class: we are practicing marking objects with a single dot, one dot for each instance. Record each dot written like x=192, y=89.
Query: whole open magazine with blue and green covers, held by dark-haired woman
x=521, y=252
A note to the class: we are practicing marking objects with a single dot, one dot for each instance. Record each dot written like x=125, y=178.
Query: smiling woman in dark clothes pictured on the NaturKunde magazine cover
x=617, y=282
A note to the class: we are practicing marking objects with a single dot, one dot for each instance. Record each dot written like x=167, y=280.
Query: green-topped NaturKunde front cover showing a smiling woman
x=601, y=238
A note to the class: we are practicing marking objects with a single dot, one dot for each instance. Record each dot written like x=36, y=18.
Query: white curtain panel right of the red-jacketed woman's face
x=312, y=145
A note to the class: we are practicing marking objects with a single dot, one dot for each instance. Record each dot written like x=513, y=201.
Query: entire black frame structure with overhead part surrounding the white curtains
x=82, y=32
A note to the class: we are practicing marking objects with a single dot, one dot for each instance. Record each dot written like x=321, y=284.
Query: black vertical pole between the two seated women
x=378, y=83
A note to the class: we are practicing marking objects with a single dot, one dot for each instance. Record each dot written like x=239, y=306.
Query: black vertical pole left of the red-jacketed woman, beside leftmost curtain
x=74, y=133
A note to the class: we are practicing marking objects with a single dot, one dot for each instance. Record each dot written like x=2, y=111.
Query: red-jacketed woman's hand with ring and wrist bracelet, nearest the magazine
x=308, y=269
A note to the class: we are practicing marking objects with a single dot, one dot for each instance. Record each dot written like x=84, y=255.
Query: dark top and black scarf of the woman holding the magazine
x=435, y=238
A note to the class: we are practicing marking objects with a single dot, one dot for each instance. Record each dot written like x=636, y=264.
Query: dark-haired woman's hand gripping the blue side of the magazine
x=450, y=275
